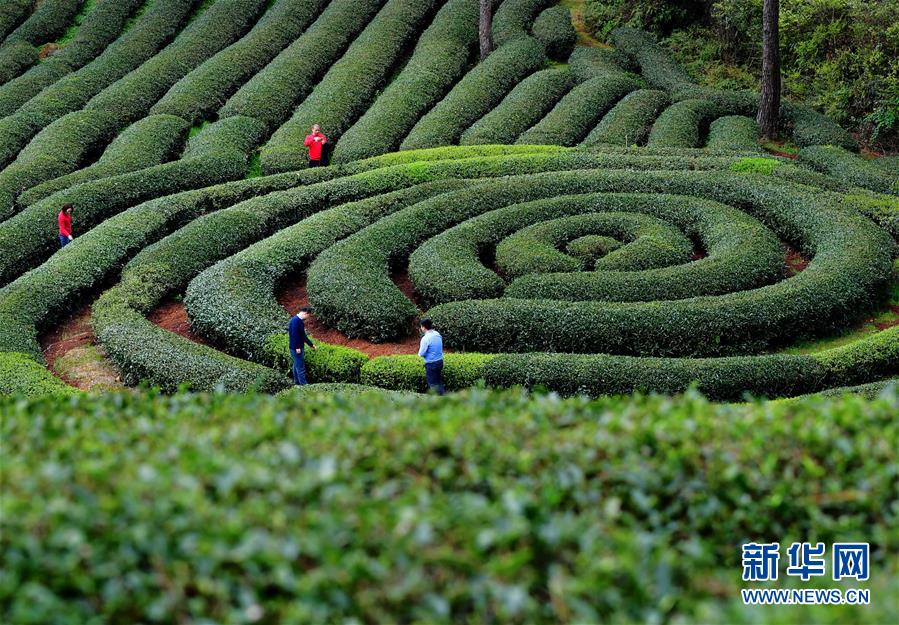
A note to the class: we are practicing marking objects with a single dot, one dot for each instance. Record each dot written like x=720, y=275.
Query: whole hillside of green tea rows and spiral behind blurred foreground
x=630, y=235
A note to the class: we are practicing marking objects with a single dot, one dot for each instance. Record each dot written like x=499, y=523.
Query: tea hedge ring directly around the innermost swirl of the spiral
x=742, y=254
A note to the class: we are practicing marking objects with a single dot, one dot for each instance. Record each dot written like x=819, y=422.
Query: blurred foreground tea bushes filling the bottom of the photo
x=385, y=508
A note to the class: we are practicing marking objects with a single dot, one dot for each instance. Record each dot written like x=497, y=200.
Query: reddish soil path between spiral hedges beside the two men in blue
x=292, y=296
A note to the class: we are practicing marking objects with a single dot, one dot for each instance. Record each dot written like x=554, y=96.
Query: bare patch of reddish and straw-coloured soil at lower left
x=72, y=354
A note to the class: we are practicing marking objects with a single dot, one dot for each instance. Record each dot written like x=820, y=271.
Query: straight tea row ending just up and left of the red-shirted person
x=274, y=92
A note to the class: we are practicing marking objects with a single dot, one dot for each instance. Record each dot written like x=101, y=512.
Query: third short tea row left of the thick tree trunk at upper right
x=629, y=122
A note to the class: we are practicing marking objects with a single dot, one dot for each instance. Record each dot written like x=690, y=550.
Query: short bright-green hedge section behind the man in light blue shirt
x=407, y=373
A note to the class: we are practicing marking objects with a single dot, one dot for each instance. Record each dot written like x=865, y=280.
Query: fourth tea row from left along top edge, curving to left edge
x=153, y=30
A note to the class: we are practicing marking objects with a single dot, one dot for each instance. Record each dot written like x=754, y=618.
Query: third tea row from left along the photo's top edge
x=102, y=26
